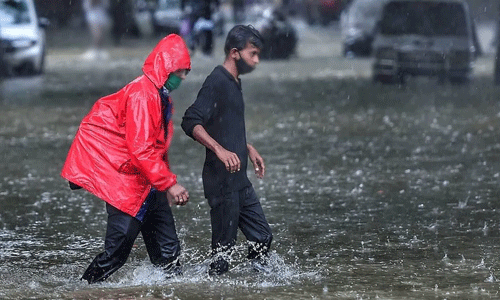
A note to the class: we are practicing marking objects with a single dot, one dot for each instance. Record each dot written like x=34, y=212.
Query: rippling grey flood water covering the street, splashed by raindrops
x=371, y=191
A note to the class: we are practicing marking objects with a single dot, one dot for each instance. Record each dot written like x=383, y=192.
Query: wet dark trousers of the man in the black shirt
x=240, y=209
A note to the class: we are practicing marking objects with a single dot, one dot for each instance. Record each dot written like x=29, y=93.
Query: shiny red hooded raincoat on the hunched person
x=119, y=151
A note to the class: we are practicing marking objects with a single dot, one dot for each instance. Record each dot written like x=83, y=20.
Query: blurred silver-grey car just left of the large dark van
x=358, y=23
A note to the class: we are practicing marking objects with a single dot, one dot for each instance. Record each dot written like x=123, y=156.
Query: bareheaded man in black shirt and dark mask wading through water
x=216, y=120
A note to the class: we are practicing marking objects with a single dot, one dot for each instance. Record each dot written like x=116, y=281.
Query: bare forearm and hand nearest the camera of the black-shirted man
x=230, y=159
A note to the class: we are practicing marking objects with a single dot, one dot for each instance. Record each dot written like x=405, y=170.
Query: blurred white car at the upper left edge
x=23, y=37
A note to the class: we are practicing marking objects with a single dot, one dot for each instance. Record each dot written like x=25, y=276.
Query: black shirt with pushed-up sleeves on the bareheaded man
x=220, y=109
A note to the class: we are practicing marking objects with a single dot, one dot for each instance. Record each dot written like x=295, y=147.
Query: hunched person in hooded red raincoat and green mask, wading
x=120, y=154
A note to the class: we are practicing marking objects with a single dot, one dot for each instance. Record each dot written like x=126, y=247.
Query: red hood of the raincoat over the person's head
x=169, y=55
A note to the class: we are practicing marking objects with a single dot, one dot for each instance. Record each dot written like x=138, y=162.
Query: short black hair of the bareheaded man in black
x=240, y=35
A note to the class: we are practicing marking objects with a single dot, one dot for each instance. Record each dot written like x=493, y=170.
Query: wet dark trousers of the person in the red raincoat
x=158, y=232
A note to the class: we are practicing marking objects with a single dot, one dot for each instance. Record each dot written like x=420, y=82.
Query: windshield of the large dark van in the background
x=424, y=18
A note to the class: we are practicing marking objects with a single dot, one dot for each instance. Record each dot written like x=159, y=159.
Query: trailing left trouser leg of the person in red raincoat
x=121, y=232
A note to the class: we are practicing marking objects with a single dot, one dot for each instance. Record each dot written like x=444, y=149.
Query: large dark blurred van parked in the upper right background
x=424, y=37
